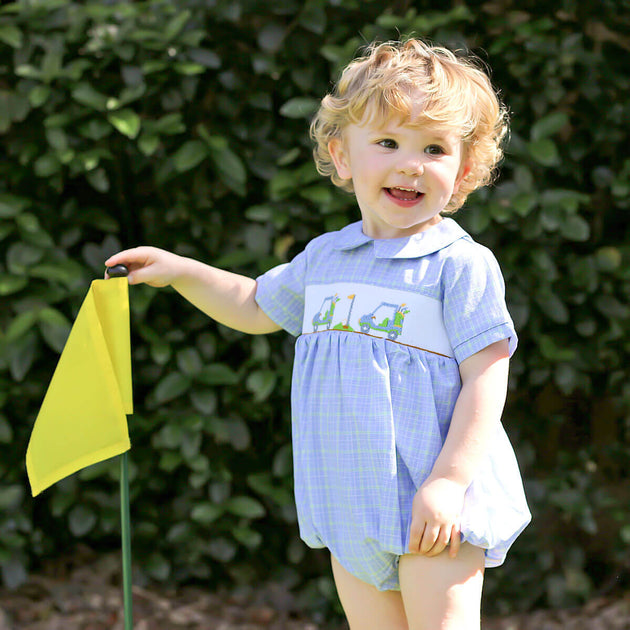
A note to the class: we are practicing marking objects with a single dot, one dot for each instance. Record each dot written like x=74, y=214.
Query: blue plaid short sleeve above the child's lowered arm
x=475, y=312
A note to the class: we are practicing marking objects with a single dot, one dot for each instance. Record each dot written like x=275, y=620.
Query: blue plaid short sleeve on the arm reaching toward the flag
x=280, y=294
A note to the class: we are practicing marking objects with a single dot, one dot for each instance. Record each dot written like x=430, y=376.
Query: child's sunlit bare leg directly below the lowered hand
x=443, y=593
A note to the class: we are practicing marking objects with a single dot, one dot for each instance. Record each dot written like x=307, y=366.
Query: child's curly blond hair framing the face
x=457, y=95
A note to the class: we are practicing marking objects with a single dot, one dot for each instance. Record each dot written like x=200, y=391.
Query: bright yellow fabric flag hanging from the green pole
x=82, y=418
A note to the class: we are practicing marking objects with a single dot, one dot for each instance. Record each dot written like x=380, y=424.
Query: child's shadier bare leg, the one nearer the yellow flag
x=365, y=606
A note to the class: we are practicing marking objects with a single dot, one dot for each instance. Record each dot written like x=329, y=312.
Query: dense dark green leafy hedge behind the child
x=184, y=125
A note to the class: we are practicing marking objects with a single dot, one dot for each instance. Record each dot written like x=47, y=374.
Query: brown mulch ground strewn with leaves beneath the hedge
x=87, y=597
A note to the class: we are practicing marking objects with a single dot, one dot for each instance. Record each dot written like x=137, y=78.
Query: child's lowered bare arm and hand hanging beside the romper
x=438, y=503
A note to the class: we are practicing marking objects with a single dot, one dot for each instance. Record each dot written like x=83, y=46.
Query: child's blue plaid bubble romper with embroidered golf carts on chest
x=381, y=328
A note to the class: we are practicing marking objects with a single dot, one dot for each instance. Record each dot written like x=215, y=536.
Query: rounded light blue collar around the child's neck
x=432, y=240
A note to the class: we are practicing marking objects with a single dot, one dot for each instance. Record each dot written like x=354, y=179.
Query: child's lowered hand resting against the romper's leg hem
x=436, y=511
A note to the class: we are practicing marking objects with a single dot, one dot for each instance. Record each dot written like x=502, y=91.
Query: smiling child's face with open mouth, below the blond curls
x=403, y=175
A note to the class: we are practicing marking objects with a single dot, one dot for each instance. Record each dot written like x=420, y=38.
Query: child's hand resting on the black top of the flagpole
x=153, y=266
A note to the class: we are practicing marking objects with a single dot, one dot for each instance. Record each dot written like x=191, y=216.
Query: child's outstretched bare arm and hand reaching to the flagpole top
x=226, y=297
